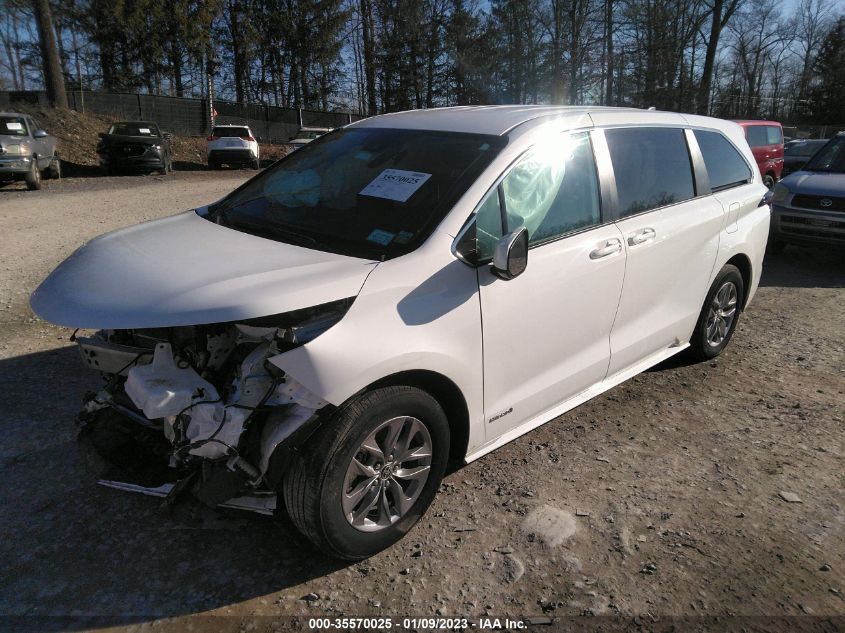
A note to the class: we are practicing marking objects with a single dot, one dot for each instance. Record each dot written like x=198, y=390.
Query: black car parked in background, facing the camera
x=135, y=146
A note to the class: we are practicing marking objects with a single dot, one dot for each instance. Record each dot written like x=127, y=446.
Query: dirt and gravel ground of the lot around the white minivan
x=656, y=506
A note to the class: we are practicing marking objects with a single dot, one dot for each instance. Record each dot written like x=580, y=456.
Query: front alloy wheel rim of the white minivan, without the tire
x=387, y=474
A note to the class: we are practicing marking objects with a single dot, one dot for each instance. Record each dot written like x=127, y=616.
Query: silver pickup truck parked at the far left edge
x=26, y=151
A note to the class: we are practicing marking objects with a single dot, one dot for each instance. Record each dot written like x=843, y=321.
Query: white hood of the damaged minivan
x=185, y=270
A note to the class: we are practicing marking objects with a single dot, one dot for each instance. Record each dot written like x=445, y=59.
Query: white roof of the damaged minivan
x=499, y=120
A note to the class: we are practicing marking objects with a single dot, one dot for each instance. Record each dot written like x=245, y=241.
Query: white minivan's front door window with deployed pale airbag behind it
x=554, y=189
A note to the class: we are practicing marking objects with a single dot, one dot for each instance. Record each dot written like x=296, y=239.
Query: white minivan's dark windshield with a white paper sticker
x=365, y=192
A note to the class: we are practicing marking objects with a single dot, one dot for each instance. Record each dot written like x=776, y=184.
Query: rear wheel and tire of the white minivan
x=714, y=330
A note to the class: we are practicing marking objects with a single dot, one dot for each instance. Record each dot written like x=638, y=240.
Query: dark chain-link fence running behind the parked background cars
x=270, y=124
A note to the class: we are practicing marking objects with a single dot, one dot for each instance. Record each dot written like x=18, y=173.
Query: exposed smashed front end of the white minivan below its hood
x=201, y=409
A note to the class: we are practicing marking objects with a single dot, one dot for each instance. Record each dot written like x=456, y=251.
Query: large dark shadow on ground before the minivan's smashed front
x=72, y=548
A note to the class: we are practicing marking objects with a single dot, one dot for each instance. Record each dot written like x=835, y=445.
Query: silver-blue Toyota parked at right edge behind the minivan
x=808, y=206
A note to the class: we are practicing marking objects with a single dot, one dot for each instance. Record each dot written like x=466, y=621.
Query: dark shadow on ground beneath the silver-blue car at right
x=805, y=267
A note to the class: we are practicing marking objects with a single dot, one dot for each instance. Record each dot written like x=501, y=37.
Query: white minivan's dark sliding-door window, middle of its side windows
x=652, y=168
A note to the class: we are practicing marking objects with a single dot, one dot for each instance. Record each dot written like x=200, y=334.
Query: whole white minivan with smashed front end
x=412, y=289
